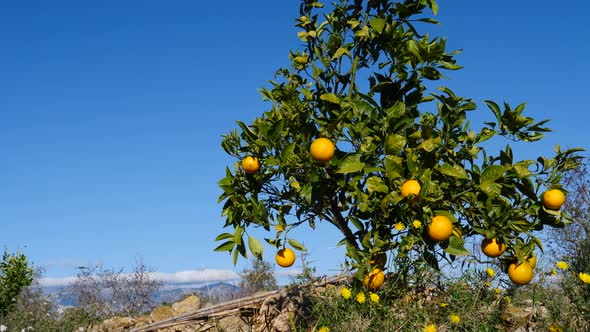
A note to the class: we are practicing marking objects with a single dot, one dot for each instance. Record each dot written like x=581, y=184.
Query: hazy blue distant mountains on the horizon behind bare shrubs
x=212, y=293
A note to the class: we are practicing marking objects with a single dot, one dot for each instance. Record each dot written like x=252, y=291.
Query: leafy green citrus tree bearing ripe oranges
x=355, y=138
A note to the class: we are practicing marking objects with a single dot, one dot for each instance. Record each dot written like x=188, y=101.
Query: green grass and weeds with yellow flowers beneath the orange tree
x=468, y=303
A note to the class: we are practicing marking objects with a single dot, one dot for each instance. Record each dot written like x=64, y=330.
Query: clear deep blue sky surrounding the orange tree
x=111, y=114
